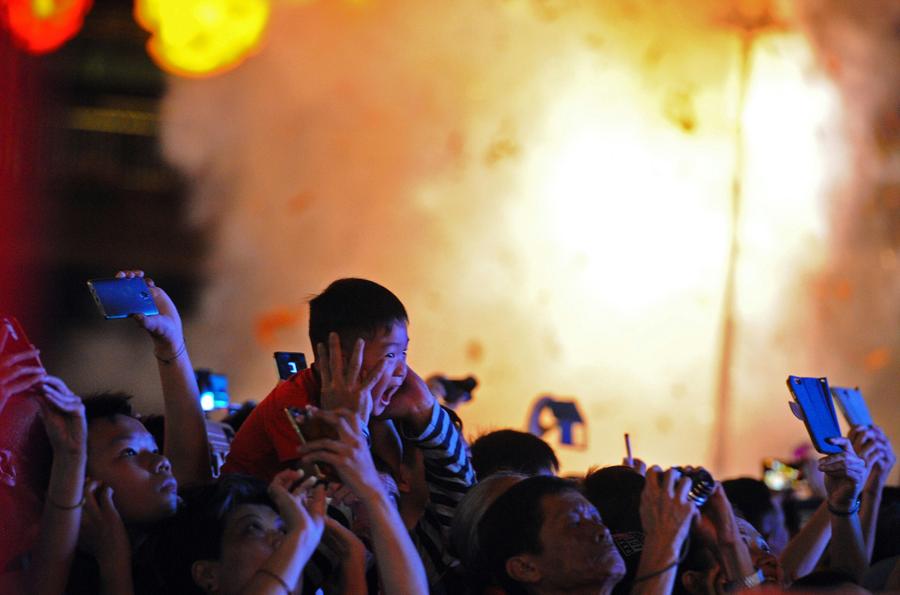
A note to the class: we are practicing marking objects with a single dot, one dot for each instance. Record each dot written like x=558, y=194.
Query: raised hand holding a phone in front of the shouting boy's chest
x=350, y=455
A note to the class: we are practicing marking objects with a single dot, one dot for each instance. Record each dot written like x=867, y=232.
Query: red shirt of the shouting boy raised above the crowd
x=266, y=441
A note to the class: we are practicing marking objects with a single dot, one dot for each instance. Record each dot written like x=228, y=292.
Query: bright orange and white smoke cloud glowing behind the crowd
x=660, y=209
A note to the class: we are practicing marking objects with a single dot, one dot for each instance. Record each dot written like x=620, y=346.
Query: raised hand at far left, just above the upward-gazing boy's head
x=63, y=414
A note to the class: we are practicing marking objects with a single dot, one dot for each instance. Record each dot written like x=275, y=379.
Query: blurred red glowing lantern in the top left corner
x=41, y=26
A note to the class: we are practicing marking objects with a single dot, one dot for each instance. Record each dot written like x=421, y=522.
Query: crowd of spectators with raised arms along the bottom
x=351, y=477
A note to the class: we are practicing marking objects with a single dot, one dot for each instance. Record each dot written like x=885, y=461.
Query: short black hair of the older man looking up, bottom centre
x=512, y=526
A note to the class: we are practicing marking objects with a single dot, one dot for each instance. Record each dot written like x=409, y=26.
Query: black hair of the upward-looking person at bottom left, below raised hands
x=195, y=532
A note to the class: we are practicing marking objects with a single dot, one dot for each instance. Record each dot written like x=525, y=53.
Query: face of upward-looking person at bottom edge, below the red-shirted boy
x=252, y=534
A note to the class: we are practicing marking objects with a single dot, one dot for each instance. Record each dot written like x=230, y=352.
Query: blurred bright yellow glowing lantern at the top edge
x=202, y=37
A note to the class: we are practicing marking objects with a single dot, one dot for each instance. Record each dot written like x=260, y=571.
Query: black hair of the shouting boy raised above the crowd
x=353, y=308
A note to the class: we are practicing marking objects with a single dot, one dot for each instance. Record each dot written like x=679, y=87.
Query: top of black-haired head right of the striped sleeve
x=511, y=450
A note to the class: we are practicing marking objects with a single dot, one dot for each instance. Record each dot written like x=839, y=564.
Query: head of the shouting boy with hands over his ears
x=358, y=308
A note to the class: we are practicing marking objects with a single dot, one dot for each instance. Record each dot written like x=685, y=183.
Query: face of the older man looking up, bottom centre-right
x=577, y=548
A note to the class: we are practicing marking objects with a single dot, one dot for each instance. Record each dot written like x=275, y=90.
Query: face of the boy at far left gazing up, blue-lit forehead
x=123, y=455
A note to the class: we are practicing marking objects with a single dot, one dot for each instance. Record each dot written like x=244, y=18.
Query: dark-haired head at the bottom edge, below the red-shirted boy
x=222, y=535
